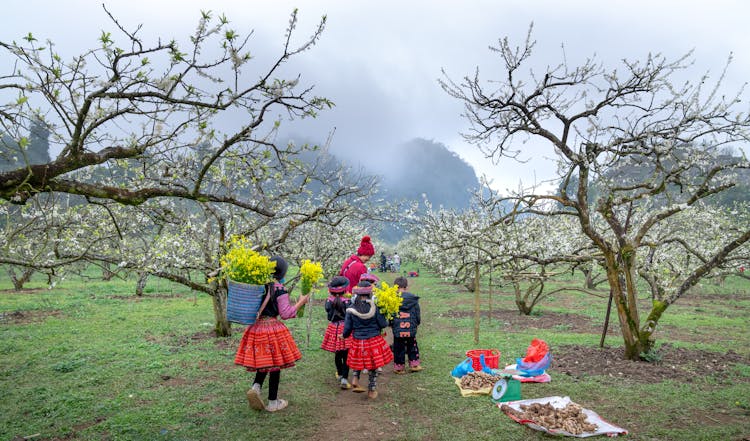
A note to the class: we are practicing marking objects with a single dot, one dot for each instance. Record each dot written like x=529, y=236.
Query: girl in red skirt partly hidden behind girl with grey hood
x=336, y=305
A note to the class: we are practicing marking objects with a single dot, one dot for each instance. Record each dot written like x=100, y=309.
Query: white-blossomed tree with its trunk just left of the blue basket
x=182, y=240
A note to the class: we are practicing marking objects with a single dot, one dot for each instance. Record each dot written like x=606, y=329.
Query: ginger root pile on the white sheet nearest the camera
x=570, y=418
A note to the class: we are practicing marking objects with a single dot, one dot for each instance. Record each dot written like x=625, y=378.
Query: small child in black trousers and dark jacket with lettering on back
x=404, y=327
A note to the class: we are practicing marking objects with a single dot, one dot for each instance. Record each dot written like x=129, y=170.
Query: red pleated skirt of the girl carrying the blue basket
x=266, y=346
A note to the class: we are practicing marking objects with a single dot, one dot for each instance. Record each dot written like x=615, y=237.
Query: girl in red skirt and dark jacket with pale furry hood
x=368, y=349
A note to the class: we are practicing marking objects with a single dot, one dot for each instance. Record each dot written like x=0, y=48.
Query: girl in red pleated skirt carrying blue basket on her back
x=267, y=345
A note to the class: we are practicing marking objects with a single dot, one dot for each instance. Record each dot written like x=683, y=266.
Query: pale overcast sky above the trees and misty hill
x=379, y=61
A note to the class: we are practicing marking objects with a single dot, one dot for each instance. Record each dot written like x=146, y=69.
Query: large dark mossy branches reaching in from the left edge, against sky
x=135, y=108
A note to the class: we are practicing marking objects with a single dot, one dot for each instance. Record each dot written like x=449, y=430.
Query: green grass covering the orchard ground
x=90, y=361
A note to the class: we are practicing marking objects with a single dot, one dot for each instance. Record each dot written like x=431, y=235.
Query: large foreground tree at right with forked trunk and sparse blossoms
x=635, y=148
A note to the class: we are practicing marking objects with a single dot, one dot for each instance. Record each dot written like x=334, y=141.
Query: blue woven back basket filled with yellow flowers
x=247, y=272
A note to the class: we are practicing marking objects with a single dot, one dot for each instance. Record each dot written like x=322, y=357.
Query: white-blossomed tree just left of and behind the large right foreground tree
x=525, y=252
